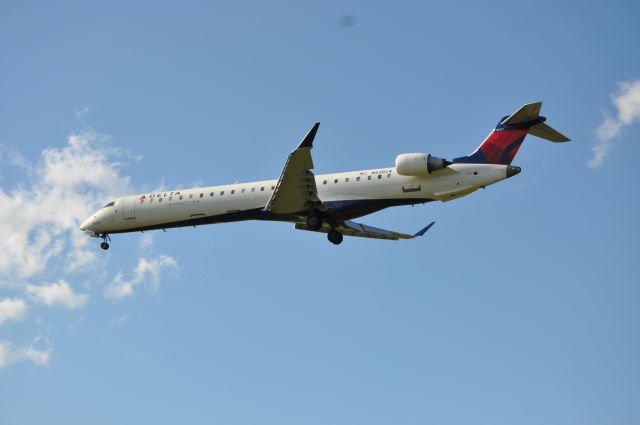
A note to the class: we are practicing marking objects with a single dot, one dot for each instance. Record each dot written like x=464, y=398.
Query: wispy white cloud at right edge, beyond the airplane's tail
x=627, y=103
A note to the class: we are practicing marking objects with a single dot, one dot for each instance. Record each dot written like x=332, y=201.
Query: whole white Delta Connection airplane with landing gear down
x=328, y=203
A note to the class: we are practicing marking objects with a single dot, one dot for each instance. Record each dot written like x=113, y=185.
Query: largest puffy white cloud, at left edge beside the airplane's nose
x=40, y=220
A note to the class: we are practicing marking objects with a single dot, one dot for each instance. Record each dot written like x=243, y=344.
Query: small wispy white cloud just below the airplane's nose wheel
x=148, y=270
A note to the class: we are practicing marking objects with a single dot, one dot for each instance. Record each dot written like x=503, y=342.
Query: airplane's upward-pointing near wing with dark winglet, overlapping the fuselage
x=296, y=189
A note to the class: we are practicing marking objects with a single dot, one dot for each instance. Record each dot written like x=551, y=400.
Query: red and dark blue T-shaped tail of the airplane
x=503, y=143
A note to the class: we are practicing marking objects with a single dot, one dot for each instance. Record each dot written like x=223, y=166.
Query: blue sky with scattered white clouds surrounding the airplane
x=520, y=306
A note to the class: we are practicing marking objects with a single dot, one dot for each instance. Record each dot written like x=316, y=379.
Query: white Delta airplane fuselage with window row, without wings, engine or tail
x=347, y=195
